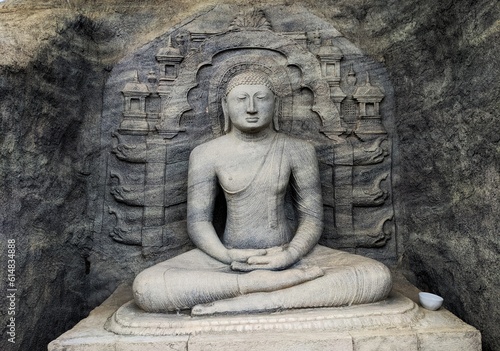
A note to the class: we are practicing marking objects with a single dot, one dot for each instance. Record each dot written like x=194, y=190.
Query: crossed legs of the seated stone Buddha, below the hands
x=325, y=277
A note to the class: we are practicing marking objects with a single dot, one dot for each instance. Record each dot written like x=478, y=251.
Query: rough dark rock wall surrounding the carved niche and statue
x=55, y=57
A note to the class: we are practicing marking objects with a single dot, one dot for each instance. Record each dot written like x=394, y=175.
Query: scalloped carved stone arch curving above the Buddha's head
x=265, y=39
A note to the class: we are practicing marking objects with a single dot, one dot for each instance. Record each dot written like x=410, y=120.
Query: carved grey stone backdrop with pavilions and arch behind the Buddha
x=169, y=102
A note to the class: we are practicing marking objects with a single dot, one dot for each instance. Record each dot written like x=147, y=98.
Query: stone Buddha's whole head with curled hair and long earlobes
x=249, y=103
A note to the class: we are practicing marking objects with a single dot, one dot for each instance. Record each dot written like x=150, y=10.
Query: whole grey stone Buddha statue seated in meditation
x=261, y=262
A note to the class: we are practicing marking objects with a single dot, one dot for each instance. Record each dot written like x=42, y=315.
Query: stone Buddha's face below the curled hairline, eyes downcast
x=250, y=107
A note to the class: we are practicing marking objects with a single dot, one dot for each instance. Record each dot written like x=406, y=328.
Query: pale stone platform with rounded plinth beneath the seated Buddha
x=396, y=324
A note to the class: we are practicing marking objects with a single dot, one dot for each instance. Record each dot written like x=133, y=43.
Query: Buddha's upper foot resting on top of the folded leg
x=265, y=281
